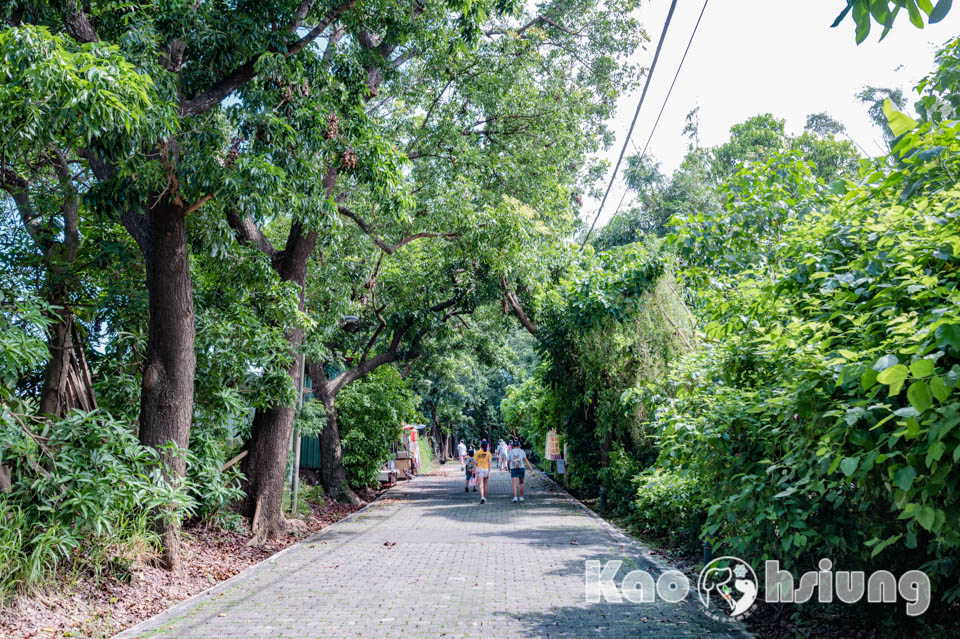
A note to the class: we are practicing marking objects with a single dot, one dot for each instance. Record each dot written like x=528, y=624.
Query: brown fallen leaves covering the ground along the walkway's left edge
x=89, y=609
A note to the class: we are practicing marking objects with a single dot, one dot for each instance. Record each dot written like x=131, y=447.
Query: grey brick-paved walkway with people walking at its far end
x=428, y=561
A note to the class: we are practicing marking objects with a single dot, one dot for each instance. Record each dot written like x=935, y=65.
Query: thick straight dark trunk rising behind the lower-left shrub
x=166, y=402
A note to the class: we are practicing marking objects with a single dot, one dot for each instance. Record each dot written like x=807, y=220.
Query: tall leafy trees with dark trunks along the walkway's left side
x=400, y=164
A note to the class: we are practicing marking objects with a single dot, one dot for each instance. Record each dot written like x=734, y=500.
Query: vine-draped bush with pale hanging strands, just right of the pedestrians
x=618, y=321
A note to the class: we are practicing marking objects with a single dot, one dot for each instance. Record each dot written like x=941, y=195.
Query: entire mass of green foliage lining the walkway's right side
x=814, y=412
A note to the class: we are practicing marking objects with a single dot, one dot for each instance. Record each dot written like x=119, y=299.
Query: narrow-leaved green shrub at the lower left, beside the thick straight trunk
x=83, y=489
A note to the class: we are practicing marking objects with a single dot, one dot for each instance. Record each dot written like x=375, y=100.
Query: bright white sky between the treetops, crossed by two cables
x=774, y=56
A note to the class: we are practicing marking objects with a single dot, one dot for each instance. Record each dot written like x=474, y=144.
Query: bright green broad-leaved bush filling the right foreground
x=822, y=420
